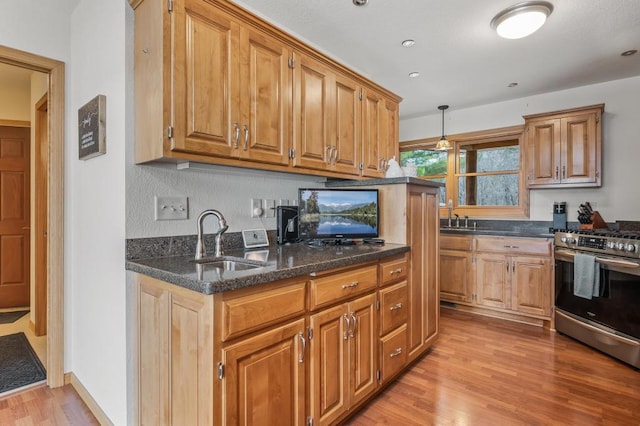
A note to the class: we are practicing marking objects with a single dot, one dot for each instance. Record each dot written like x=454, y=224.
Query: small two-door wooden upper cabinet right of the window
x=564, y=148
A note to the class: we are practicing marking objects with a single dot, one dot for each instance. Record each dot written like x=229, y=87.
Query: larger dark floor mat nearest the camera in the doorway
x=19, y=364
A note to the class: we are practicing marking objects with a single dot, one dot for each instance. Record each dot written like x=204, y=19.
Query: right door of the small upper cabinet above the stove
x=579, y=153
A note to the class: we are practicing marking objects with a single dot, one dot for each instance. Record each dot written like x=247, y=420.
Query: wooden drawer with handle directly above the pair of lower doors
x=339, y=286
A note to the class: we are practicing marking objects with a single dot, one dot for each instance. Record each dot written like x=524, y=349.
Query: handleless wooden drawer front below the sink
x=261, y=309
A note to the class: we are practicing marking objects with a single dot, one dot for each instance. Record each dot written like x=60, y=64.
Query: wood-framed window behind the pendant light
x=483, y=173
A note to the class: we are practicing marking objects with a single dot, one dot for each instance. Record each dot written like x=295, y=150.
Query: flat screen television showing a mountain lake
x=337, y=213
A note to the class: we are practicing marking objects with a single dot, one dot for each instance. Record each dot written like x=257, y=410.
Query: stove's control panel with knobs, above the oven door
x=604, y=241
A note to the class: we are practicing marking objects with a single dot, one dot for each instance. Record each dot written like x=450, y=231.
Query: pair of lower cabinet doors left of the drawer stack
x=343, y=358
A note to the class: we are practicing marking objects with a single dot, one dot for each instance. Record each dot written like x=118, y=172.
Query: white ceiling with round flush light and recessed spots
x=461, y=60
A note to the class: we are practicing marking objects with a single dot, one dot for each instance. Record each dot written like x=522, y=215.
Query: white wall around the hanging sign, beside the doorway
x=90, y=40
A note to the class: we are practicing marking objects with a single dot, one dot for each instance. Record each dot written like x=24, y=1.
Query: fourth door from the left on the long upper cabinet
x=347, y=140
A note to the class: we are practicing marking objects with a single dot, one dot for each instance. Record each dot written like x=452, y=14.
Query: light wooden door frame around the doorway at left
x=55, y=217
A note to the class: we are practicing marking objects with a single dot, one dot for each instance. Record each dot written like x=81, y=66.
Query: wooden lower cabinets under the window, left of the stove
x=512, y=276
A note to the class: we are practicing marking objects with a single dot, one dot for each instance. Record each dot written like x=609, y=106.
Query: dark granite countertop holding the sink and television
x=282, y=262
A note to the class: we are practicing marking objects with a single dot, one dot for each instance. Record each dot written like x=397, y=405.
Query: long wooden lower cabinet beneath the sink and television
x=305, y=349
